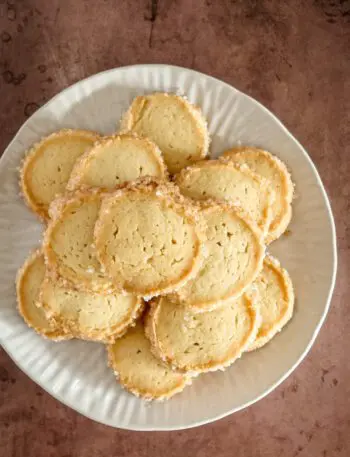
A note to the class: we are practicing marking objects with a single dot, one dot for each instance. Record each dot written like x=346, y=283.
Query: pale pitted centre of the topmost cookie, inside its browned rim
x=145, y=242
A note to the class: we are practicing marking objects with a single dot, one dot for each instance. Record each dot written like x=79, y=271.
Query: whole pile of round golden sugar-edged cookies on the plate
x=153, y=249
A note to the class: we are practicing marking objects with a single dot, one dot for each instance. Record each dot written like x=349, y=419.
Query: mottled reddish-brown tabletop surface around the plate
x=293, y=56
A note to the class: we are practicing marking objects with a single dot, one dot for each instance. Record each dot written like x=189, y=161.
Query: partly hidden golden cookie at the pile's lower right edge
x=275, y=301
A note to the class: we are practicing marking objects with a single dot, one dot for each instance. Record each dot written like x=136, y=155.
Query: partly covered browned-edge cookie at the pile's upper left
x=48, y=165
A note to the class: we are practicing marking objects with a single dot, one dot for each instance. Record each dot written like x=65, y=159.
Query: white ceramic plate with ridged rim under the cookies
x=76, y=372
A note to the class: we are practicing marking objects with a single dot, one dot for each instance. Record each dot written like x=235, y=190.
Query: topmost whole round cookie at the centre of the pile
x=148, y=238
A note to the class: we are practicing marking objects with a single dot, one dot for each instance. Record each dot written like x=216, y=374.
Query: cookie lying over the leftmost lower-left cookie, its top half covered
x=87, y=315
